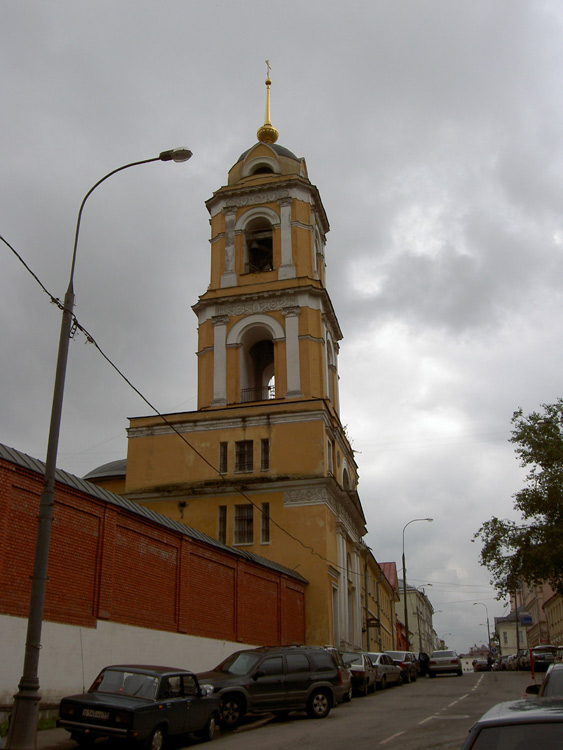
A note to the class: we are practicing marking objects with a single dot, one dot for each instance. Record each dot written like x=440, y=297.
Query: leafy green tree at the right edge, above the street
x=531, y=550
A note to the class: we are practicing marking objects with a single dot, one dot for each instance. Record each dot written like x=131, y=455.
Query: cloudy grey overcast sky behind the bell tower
x=434, y=132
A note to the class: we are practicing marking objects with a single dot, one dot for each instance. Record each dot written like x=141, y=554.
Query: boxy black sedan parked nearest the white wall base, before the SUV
x=140, y=704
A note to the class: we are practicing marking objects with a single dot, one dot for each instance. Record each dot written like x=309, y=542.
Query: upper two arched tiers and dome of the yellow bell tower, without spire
x=266, y=325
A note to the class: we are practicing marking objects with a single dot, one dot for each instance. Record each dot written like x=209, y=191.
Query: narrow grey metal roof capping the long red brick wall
x=14, y=456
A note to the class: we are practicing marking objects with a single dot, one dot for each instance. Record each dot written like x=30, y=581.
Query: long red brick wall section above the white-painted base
x=108, y=563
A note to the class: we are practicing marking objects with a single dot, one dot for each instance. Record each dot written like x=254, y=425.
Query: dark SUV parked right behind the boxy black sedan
x=275, y=679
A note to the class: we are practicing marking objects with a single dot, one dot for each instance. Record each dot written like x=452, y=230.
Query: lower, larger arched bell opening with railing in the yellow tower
x=257, y=365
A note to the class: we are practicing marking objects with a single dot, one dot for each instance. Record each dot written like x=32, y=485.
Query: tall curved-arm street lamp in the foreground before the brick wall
x=22, y=733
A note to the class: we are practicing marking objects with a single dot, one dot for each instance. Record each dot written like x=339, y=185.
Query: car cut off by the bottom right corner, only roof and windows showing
x=534, y=723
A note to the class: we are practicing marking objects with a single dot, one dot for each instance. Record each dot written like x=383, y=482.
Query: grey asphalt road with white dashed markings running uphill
x=425, y=714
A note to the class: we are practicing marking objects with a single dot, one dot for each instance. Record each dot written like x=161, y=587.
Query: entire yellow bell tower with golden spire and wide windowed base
x=264, y=464
